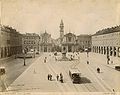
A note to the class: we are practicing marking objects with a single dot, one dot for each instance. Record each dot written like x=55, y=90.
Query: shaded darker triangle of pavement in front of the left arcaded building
x=14, y=68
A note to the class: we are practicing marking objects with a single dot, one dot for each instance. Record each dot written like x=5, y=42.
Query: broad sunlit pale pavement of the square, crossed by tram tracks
x=35, y=79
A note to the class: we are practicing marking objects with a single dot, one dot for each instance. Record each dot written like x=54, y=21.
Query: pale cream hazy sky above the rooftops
x=79, y=16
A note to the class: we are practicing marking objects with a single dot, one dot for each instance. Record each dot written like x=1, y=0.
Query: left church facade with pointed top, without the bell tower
x=46, y=43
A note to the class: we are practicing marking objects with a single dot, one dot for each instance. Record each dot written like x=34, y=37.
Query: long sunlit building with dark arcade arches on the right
x=107, y=41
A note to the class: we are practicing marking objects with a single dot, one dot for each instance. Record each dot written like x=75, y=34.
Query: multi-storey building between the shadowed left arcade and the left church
x=30, y=41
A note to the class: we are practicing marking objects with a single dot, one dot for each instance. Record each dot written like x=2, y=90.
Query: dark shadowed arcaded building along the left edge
x=10, y=42
